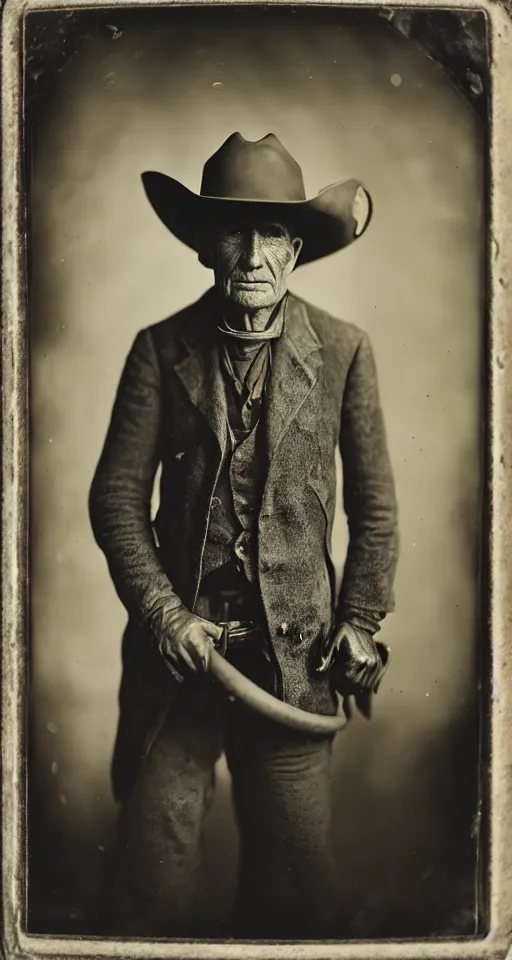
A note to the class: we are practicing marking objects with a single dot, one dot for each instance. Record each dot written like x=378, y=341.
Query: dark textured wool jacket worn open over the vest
x=170, y=409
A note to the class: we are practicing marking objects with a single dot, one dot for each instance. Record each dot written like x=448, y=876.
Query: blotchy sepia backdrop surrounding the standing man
x=162, y=89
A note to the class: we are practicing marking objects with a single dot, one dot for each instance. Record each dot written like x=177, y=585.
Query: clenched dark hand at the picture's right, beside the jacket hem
x=354, y=656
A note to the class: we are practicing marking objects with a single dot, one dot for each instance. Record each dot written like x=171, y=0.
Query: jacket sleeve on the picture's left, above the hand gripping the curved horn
x=120, y=495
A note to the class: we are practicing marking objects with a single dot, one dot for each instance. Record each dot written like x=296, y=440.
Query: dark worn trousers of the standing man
x=287, y=879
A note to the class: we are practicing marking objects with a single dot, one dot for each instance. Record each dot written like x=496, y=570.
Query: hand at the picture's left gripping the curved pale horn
x=189, y=640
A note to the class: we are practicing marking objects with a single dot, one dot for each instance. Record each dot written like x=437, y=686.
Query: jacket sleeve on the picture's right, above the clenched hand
x=368, y=495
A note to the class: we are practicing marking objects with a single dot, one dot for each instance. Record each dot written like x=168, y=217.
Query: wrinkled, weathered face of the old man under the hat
x=253, y=263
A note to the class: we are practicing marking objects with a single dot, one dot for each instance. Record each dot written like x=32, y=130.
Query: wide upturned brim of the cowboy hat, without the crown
x=332, y=220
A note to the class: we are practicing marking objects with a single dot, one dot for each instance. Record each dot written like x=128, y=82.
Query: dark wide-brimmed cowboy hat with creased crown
x=259, y=180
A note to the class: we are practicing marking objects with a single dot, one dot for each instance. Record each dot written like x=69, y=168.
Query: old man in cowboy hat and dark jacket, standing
x=241, y=400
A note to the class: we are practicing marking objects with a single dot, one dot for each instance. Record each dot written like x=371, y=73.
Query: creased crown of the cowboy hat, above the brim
x=253, y=170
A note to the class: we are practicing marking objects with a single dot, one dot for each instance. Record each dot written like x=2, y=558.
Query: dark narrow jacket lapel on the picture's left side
x=201, y=374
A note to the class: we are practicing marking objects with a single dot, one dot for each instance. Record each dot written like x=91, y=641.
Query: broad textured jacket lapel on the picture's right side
x=295, y=366
